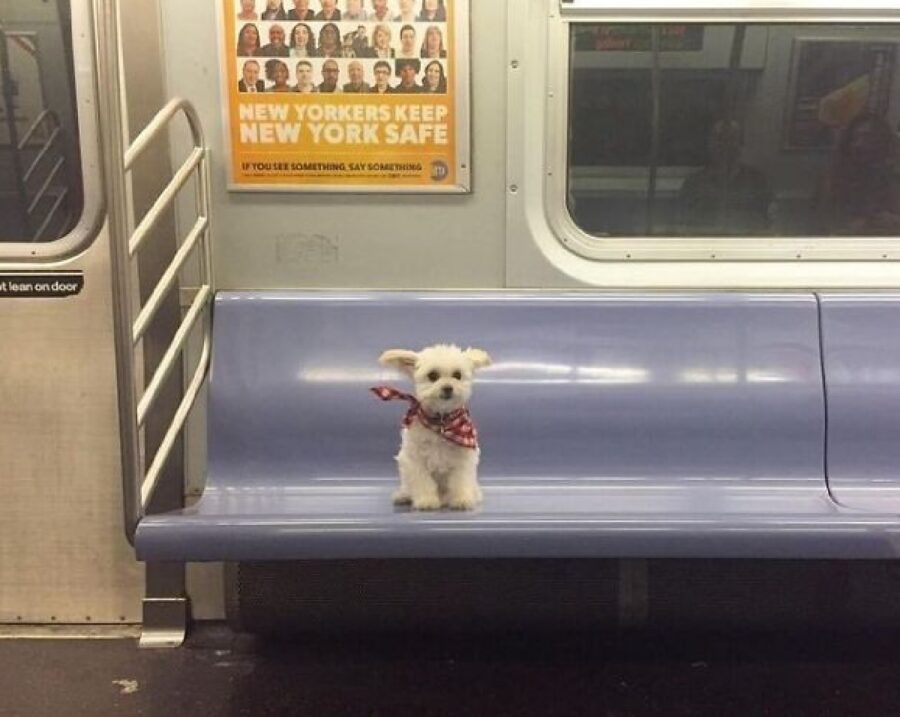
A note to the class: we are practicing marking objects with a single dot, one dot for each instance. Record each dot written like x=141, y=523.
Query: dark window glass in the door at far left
x=41, y=195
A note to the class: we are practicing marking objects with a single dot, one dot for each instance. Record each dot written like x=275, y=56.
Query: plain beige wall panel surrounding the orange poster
x=361, y=241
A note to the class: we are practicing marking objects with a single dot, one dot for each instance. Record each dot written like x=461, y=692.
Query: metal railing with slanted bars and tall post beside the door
x=130, y=321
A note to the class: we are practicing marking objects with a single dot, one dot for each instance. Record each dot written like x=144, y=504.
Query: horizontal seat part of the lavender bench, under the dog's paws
x=528, y=519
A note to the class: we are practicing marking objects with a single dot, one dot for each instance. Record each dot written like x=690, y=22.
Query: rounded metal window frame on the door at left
x=16, y=255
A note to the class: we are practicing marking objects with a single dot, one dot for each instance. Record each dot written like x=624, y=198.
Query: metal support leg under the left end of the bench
x=166, y=606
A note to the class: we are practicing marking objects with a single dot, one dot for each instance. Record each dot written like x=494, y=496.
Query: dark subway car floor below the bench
x=218, y=673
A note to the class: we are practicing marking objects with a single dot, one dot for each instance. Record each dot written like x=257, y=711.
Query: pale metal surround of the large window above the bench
x=559, y=253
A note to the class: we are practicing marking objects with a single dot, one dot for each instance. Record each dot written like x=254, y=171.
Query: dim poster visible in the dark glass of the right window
x=832, y=82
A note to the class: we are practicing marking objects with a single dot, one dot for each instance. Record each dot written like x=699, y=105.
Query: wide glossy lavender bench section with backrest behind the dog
x=660, y=425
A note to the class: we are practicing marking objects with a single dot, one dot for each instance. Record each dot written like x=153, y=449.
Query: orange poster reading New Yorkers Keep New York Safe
x=347, y=95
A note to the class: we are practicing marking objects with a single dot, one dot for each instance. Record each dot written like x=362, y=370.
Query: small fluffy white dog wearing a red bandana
x=439, y=453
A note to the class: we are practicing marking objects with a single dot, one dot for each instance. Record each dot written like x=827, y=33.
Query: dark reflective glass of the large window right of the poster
x=734, y=130
